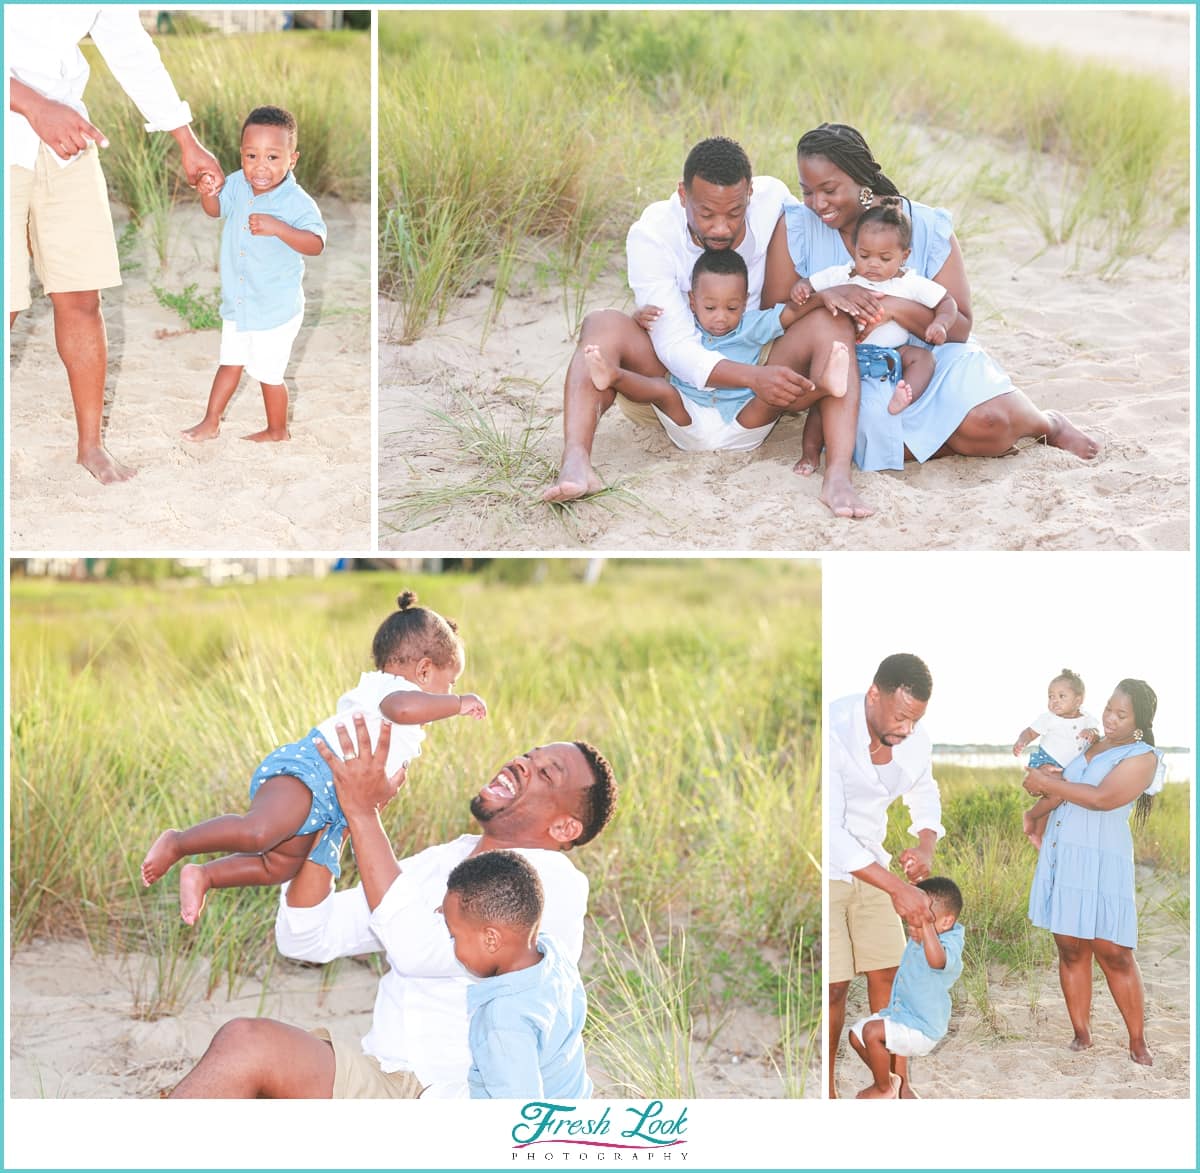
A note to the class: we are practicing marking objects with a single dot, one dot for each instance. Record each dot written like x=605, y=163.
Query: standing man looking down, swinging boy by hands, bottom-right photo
x=878, y=755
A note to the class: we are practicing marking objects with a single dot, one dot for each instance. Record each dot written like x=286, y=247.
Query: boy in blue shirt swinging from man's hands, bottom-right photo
x=919, y=1014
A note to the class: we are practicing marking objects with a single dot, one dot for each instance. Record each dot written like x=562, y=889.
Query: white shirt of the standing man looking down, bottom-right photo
x=859, y=799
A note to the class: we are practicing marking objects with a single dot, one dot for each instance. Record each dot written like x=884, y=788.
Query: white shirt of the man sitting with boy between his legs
x=662, y=255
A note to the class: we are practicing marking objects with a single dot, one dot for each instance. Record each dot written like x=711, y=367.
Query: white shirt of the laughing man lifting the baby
x=421, y=1014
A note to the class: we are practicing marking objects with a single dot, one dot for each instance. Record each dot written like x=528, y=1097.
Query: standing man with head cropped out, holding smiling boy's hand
x=59, y=206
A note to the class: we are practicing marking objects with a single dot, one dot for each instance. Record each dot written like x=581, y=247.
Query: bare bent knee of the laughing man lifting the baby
x=260, y=1058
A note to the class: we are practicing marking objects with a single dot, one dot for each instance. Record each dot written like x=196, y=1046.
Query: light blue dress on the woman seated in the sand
x=964, y=376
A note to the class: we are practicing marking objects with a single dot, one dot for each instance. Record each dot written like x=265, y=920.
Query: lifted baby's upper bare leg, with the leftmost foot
x=278, y=811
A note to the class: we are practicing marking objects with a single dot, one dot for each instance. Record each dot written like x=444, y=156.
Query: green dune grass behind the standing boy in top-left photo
x=323, y=79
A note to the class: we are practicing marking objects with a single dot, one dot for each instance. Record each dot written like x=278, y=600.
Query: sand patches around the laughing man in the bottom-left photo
x=62, y=992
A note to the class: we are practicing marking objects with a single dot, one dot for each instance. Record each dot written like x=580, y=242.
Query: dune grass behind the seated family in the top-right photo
x=503, y=130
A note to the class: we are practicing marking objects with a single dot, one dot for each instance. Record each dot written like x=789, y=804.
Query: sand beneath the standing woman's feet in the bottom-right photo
x=1016, y=1046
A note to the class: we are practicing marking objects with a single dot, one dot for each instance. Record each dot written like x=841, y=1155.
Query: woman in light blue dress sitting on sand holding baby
x=971, y=406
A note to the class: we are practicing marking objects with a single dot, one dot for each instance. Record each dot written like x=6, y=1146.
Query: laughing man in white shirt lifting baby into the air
x=542, y=804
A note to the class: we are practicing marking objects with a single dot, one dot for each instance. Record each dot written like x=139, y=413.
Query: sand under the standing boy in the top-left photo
x=310, y=494
